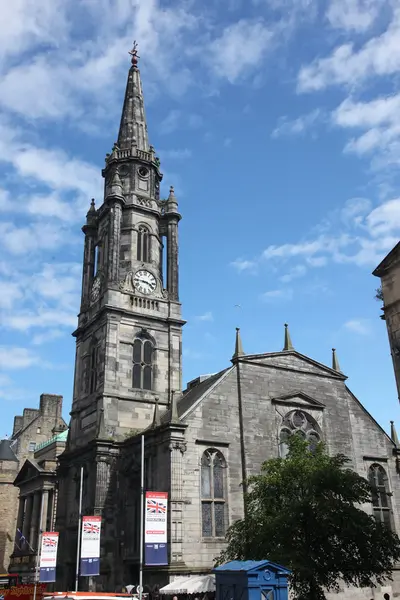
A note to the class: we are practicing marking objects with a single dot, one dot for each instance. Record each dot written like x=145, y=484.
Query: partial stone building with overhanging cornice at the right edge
x=389, y=273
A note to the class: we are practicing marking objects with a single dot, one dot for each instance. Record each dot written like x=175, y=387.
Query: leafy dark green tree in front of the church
x=304, y=512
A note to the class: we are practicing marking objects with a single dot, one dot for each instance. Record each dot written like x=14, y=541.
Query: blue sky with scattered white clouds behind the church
x=277, y=121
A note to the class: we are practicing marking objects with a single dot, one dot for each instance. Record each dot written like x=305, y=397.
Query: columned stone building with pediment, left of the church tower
x=38, y=492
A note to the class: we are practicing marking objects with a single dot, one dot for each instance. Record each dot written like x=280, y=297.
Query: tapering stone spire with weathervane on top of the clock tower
x=133, y=127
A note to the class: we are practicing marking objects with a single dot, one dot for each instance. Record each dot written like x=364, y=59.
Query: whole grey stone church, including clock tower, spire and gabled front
x=200, y=443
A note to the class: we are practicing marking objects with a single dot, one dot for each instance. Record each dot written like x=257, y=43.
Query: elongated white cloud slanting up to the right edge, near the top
x=346, y=65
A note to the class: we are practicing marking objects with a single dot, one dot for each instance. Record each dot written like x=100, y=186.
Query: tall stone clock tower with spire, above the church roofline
x=128, y=339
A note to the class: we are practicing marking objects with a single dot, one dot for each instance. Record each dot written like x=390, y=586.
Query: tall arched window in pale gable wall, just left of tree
x=213, y=495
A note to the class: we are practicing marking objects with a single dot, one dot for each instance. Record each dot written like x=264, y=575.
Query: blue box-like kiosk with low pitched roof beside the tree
x=251, y=580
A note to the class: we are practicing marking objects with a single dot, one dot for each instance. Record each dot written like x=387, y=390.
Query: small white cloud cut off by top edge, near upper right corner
x=353, y=15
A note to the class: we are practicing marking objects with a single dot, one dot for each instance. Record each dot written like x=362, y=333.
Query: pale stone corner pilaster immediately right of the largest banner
x=177, y=449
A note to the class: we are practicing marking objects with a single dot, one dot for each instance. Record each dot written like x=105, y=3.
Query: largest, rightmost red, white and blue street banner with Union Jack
x=155, y=528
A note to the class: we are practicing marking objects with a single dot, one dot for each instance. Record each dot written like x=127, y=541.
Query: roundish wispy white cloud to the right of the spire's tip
x=252, y=37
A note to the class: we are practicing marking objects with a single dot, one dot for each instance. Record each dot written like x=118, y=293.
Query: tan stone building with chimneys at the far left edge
x=34, y=426
